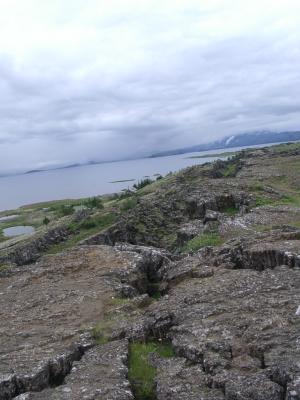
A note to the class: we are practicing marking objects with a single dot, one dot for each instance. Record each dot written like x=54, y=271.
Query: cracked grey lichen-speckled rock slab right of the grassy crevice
x=235, y=327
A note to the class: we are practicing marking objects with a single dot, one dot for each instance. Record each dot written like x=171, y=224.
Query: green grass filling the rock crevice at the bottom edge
x=140, y=373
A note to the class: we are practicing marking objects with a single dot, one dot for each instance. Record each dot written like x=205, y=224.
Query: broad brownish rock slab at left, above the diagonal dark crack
x=49, y=308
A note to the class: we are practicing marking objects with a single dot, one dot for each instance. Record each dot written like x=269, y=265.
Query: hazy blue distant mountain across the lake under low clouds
x=239, y=140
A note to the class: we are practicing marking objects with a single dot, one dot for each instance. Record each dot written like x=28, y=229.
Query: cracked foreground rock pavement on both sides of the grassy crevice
x=229, y=312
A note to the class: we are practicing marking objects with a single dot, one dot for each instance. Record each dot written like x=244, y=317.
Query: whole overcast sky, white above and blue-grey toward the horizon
x=88, y=80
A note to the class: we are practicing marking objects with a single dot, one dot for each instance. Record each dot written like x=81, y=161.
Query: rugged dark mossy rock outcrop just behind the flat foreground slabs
x=169, y=223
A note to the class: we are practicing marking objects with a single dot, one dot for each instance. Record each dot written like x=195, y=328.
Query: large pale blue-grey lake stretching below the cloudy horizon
x=90, y=180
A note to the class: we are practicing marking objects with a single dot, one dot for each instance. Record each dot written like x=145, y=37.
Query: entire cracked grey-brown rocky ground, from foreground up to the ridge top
x=230, y=312
